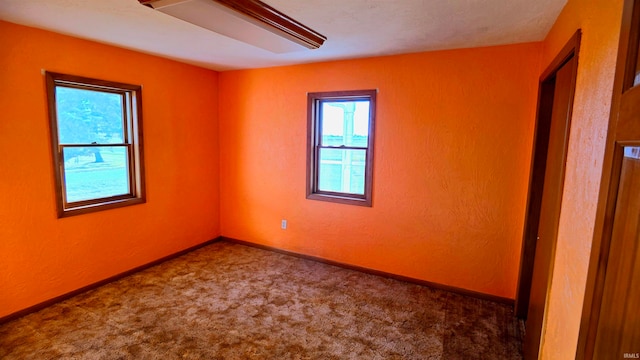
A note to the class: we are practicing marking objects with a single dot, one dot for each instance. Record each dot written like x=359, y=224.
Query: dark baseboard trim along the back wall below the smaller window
x=453, y=289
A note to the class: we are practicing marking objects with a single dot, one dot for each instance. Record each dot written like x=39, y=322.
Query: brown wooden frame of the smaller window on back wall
x=314, y=136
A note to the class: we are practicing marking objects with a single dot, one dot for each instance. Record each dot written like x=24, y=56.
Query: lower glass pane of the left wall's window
x=95, y=172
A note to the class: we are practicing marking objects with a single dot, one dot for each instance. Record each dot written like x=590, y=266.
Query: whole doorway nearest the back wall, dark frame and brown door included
x=546, y=184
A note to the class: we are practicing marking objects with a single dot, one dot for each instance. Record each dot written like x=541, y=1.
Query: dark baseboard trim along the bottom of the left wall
x=57, y=299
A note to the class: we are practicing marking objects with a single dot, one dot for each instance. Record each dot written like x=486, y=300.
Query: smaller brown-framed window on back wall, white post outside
x=340, y=146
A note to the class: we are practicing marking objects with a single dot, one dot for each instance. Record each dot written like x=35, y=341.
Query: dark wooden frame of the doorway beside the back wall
x=538, y=167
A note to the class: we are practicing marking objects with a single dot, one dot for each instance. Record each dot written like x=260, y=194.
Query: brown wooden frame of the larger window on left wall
x=132, y=115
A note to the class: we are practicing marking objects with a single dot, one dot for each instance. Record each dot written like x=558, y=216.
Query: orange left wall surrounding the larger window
x=42, y=256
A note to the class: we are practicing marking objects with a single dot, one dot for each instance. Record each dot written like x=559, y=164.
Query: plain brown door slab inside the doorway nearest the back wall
x=550, y=207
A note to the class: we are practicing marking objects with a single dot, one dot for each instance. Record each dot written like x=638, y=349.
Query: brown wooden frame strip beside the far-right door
x=605, y=210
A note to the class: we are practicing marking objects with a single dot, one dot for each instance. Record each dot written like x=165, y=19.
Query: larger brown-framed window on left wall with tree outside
x=96, y=135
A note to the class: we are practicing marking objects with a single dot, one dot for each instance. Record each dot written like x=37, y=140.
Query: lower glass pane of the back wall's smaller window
x=342, y=170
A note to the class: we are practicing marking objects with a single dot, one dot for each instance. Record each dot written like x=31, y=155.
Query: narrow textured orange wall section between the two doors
x=600, y=23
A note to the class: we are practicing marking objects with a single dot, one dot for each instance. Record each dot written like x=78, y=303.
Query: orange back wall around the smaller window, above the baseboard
x=453, y=141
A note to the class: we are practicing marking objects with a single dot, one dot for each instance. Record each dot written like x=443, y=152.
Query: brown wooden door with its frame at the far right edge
x=613, y=332
